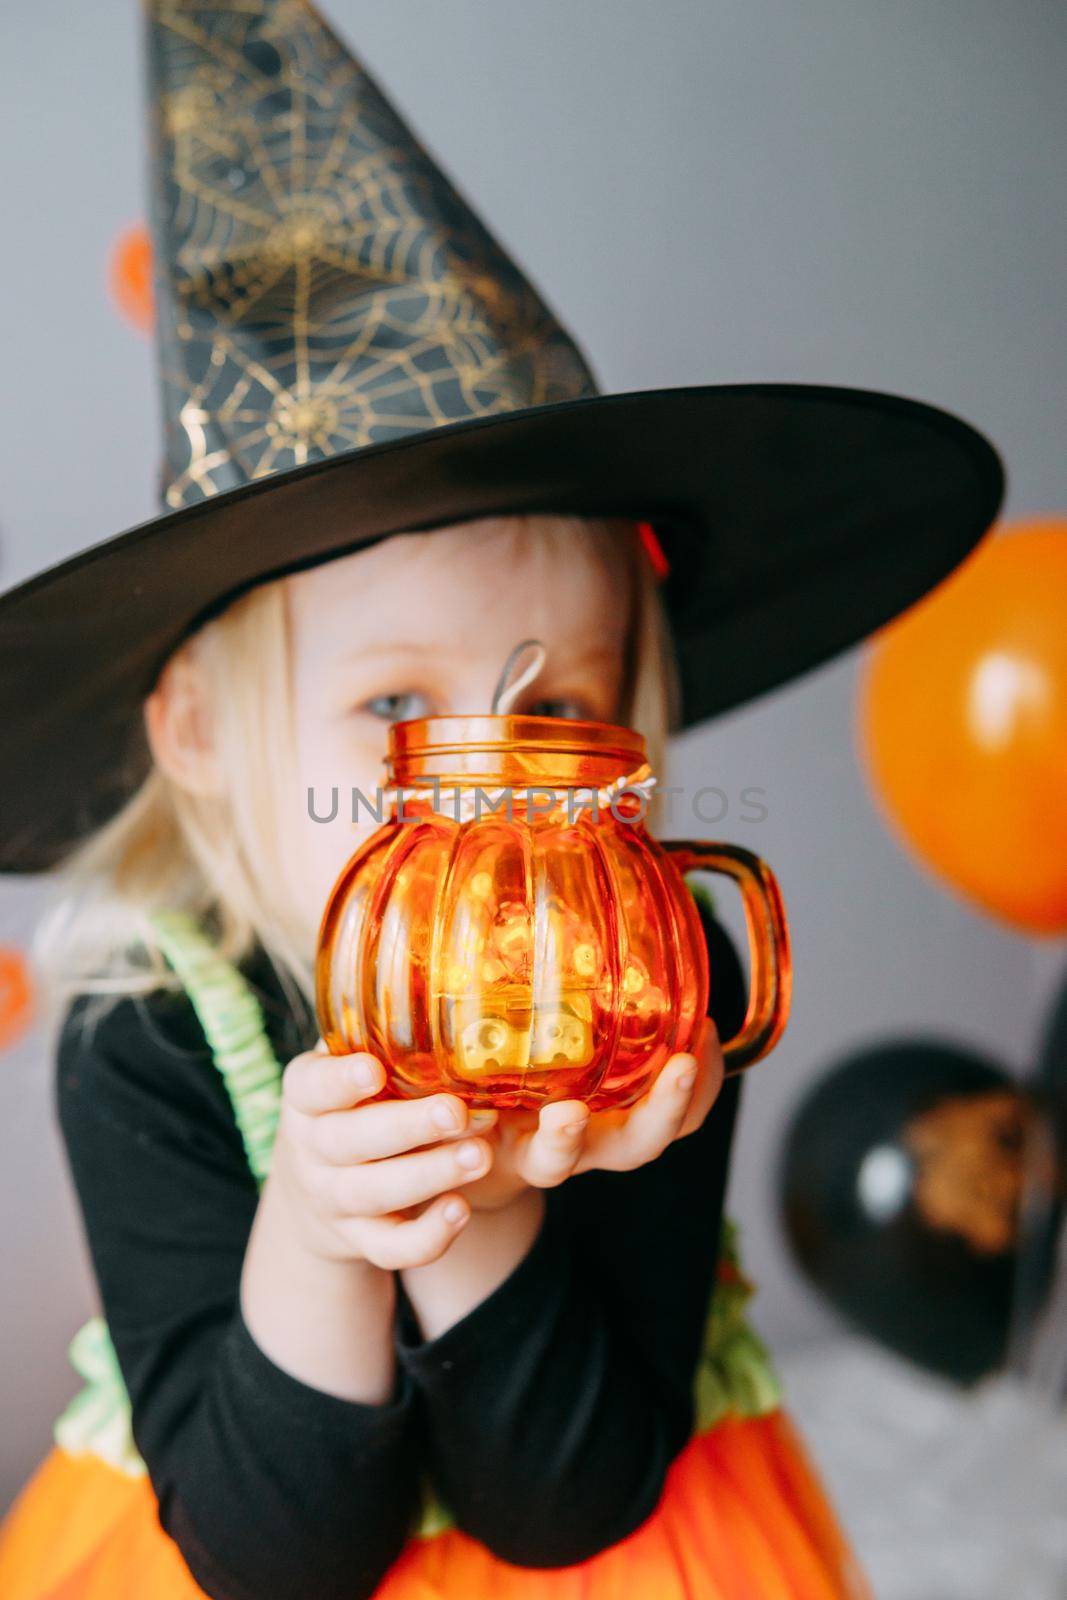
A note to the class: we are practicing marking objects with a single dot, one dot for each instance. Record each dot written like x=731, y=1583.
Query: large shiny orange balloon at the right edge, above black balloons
x=964, y=727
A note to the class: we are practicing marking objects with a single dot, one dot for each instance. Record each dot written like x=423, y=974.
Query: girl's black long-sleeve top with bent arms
x=546, y=1417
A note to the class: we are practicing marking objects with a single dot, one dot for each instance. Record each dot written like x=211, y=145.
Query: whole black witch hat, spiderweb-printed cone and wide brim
x=350, y=354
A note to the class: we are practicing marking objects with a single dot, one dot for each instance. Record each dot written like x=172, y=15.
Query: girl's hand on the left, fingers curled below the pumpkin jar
x=356, y=1175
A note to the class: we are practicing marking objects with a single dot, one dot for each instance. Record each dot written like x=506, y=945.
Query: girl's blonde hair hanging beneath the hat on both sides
x=169, y=849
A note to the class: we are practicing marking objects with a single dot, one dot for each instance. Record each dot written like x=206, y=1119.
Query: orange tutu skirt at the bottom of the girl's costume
x=743, y=1518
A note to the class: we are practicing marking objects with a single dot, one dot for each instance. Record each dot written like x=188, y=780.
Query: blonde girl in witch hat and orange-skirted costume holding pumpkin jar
x=393, y=1348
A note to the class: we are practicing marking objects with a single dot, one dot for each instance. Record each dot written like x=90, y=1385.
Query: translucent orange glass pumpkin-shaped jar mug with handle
x=516, y=935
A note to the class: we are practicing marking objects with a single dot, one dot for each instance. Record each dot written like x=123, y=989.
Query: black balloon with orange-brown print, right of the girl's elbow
x=903, y=1193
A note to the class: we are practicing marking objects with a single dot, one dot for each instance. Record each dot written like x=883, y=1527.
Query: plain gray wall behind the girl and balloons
x=865, y=193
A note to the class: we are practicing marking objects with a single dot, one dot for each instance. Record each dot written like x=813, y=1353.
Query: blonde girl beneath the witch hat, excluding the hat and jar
x=415, y=1287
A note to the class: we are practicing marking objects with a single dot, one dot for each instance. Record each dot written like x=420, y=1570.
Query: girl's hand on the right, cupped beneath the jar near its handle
x=565, y=1138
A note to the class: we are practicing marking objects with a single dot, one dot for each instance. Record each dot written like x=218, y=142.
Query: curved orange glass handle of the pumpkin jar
x=772, y=969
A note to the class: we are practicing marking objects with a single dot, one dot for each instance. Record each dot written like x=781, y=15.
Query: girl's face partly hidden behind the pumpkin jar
x=420, y=626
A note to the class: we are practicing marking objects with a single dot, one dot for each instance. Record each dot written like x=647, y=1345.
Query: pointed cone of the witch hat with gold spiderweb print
x=321, y=282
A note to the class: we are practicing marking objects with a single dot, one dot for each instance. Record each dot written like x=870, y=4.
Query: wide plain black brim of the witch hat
x=796, y=521
